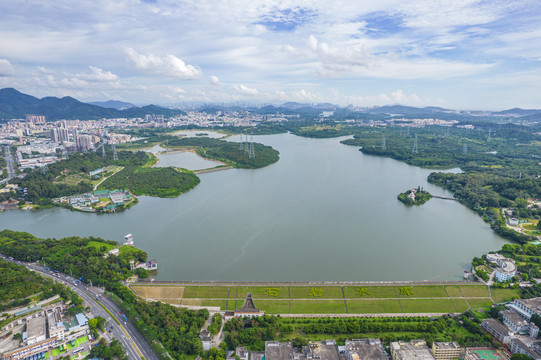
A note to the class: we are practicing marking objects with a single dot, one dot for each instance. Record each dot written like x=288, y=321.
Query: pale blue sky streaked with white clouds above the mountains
x=462, y=54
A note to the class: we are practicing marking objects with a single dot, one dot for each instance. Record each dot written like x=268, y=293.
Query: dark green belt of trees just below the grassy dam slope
x=253, y=333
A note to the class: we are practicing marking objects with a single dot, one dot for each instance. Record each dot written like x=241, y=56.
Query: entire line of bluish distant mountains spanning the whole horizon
x=15, y=105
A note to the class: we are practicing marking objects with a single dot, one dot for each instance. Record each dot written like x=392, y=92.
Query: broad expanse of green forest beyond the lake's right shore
x=500, y=165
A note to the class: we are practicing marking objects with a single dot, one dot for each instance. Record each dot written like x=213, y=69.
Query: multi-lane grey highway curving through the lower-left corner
x=132, y=341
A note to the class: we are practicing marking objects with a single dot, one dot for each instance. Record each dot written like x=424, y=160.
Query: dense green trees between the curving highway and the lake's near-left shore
x=161, y=324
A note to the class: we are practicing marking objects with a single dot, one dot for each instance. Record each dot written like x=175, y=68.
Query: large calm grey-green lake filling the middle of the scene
x=324, y=212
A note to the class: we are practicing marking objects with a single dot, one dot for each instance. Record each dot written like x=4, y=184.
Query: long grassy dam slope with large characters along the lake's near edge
x=321, y=299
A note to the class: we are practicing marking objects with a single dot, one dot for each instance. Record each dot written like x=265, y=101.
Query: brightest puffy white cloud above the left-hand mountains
x=168, y=65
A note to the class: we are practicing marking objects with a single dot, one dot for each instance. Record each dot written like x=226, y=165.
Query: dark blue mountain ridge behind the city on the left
x=15, y=105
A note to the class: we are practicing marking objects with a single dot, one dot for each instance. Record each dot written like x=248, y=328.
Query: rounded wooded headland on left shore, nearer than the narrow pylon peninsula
x=162, y=182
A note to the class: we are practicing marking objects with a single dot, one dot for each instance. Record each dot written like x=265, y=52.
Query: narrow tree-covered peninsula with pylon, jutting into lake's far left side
x=229, y=152
